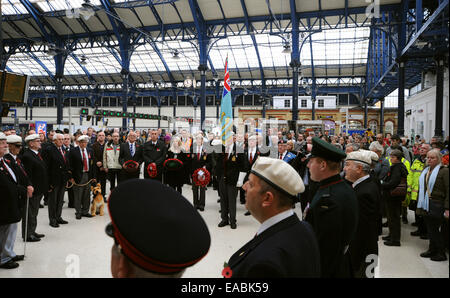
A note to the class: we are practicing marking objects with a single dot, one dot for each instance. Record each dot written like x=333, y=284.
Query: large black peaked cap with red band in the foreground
x=156, y=227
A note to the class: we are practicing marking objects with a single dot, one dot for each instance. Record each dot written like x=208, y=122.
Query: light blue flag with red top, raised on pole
x=226, y=114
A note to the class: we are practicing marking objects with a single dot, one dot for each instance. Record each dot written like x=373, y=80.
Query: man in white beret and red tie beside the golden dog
x=83, y=169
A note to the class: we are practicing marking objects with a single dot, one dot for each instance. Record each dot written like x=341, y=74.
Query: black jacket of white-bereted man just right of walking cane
x=37, y=171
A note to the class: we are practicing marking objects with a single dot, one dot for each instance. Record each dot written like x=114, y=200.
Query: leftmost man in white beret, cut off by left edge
x=9, y=203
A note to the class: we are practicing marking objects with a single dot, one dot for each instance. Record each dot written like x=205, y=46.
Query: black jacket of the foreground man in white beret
x=286, y=249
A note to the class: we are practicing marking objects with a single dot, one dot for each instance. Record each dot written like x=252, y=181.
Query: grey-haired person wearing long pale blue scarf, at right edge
x=433, y=203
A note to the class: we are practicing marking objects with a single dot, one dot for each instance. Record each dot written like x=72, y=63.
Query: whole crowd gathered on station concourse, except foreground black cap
x=350, y=183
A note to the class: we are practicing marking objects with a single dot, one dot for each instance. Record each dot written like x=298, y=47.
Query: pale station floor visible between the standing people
x=84, y=242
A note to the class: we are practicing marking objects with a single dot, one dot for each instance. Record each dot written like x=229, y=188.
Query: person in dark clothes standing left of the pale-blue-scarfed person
x=394, y=194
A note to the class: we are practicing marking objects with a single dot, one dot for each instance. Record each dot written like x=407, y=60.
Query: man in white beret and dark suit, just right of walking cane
x=38, y=173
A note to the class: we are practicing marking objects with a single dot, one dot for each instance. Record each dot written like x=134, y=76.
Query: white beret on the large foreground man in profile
x=278, y=174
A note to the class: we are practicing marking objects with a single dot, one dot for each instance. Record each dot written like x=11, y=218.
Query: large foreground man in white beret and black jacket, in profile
x=283, y=246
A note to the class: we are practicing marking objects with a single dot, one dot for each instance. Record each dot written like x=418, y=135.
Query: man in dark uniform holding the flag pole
x=229, y=165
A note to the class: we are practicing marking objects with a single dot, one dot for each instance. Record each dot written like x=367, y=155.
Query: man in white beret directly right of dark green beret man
x=365, y=243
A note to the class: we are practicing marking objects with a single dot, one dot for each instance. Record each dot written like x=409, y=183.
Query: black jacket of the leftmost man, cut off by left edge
x=9, y=198
